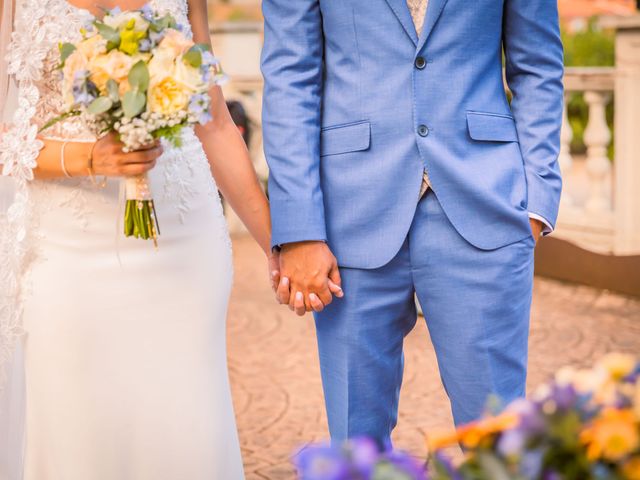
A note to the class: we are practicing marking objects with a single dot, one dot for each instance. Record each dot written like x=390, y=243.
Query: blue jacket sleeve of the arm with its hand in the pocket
x=534, y=72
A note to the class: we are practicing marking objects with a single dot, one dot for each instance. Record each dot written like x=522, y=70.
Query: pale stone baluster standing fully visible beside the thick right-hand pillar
x=597, y=137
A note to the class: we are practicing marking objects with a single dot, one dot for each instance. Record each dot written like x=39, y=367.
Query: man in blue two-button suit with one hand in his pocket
x=398, y=166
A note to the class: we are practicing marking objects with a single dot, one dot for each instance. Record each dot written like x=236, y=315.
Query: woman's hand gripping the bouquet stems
x=109, y=159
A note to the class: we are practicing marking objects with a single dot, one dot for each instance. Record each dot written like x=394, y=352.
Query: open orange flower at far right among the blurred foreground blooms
x=612, y=436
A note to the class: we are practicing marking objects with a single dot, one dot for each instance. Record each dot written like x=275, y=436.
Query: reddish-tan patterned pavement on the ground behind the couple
x=276, y=380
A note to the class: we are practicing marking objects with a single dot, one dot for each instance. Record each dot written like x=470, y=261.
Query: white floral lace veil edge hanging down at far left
x=31, y=40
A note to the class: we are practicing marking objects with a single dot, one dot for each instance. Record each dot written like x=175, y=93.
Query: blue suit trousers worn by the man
x=476, y=304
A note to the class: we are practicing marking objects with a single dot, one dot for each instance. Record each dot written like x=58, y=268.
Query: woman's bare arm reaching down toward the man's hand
x=227, y=152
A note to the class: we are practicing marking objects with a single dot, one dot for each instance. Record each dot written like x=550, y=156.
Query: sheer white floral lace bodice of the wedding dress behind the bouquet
x=64, y=20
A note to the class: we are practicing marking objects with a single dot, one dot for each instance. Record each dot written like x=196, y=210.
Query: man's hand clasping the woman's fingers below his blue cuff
x=310, y=268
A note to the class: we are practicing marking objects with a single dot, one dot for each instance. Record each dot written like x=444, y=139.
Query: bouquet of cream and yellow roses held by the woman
x=137, y=73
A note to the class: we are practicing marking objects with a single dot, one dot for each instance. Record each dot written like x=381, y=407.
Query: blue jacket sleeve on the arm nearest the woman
x=292, y=66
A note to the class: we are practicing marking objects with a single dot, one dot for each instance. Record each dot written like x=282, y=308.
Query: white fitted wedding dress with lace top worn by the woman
x=125, y=369
